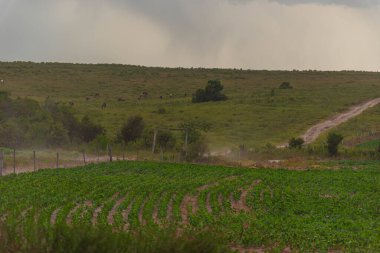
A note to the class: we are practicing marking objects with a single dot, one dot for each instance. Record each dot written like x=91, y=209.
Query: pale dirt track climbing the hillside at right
x=314, y=132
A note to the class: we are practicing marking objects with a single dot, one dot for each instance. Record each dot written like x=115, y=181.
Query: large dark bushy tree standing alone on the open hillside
x=212, y=92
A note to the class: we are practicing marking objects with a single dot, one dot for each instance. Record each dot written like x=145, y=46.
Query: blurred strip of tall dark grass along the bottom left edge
x=63, y=239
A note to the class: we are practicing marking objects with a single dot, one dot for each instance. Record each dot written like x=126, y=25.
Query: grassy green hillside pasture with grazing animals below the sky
x=251, y=116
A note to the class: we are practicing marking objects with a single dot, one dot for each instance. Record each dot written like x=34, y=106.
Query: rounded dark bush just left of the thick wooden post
x=132, y=129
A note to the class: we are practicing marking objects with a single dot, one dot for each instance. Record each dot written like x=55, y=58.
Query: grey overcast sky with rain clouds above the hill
x=254, y=34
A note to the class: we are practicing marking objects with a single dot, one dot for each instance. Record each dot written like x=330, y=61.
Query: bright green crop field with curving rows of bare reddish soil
x=251, y=210
